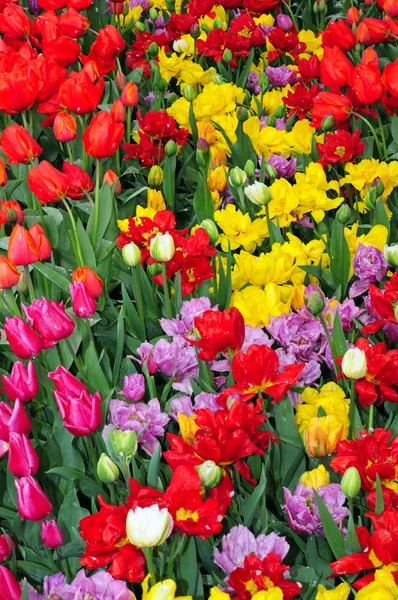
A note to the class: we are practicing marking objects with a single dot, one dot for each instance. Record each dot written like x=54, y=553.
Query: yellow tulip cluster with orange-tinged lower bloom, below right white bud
x=322, y=418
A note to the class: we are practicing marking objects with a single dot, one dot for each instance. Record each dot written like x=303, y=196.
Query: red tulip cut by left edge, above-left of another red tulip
x=18, y=145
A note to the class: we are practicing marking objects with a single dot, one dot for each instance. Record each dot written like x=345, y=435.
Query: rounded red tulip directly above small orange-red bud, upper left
x=79, y=94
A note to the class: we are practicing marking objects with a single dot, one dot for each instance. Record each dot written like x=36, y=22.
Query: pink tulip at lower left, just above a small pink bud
x=32, y=503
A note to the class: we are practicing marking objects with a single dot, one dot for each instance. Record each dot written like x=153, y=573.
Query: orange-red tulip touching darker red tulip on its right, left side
x=47, y=183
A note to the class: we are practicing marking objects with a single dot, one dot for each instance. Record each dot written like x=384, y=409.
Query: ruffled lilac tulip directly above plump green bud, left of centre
x=147, y=420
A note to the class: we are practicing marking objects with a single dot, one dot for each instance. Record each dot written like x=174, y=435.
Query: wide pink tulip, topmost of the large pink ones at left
x=49, y=319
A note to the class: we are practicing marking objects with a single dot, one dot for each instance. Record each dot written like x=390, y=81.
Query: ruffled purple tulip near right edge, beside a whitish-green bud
x=369, y=266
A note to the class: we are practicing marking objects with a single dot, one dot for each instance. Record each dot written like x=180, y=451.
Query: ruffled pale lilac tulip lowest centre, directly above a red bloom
x=240, y=542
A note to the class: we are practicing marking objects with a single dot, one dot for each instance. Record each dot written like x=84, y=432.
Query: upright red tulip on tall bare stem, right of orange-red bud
x=103, y=136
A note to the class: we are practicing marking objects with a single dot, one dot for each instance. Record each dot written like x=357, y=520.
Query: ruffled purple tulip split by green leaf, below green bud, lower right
x=302, y=511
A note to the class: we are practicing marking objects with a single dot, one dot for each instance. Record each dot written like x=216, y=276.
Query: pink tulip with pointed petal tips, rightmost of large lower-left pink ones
x=81, y=415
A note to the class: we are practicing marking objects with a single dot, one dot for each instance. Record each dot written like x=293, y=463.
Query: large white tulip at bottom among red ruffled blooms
x=148, y=527
